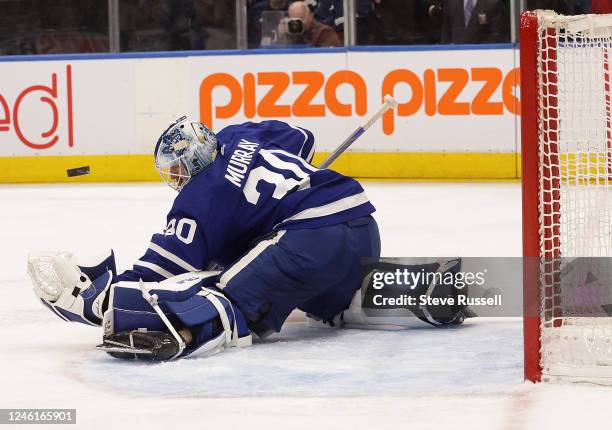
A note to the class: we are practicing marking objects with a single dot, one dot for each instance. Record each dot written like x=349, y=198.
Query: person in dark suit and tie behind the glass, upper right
x=475, y=21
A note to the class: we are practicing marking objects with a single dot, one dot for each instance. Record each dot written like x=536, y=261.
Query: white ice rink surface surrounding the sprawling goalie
x=304, y=377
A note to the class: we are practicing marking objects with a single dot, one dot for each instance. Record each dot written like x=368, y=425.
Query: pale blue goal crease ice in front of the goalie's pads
x=306, y=361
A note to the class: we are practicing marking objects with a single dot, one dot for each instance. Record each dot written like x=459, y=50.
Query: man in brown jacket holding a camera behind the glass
x=301, y=28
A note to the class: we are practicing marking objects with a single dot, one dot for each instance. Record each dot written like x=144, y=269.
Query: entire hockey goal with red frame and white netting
x=567, y=195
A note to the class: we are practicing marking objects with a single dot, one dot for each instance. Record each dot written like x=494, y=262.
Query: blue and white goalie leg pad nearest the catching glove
x=133, y=321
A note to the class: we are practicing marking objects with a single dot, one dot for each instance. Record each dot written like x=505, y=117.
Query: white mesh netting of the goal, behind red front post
x=575, y=147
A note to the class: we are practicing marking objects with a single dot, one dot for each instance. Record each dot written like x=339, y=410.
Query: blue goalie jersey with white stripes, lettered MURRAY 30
x=261, y=181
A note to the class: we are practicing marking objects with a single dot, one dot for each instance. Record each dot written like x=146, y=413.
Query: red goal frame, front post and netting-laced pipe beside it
x=539, y=245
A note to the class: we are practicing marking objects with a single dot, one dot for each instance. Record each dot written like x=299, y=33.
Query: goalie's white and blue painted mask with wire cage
x=185, y=149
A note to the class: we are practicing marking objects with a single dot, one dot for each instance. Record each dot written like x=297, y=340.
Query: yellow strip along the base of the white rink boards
x=411, y=166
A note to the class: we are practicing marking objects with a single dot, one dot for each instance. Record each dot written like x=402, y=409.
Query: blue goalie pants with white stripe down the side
x=315, y=270
